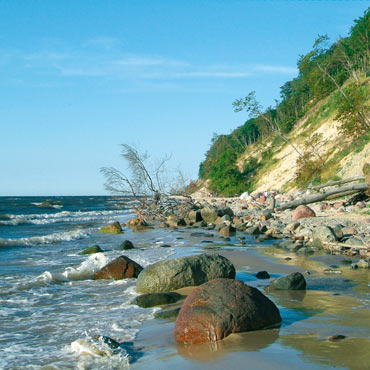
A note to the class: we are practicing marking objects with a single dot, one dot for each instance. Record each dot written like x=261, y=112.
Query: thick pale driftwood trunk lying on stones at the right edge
x=312, y=198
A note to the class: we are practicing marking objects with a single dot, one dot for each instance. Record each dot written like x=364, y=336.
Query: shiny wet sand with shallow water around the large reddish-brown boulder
x=333, y=304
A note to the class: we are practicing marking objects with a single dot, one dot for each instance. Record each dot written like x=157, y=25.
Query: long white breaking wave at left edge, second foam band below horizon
x=47, y=239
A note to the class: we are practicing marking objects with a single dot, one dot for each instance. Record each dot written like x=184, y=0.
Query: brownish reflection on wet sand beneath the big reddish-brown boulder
x=251, y=341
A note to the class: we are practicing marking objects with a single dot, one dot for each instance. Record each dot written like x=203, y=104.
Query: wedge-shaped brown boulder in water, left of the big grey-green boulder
x=120, y=268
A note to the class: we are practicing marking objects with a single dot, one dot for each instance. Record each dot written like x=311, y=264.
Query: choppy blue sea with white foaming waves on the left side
x=50, y=308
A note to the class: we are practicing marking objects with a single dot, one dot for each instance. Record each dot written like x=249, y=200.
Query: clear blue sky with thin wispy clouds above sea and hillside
x=78, y=78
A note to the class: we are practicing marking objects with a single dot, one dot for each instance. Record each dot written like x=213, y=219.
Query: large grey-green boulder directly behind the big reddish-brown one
x=165, y=276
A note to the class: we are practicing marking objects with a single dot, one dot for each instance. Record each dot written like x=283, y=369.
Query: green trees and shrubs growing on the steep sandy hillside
x=323, y=70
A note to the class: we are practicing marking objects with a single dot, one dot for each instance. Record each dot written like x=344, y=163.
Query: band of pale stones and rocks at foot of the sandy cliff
x=337, y=227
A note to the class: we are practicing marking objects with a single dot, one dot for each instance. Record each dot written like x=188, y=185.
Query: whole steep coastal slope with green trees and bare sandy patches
x=333, y=84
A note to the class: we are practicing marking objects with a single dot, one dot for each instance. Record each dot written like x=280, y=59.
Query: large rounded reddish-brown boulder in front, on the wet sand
x=220, y=307
